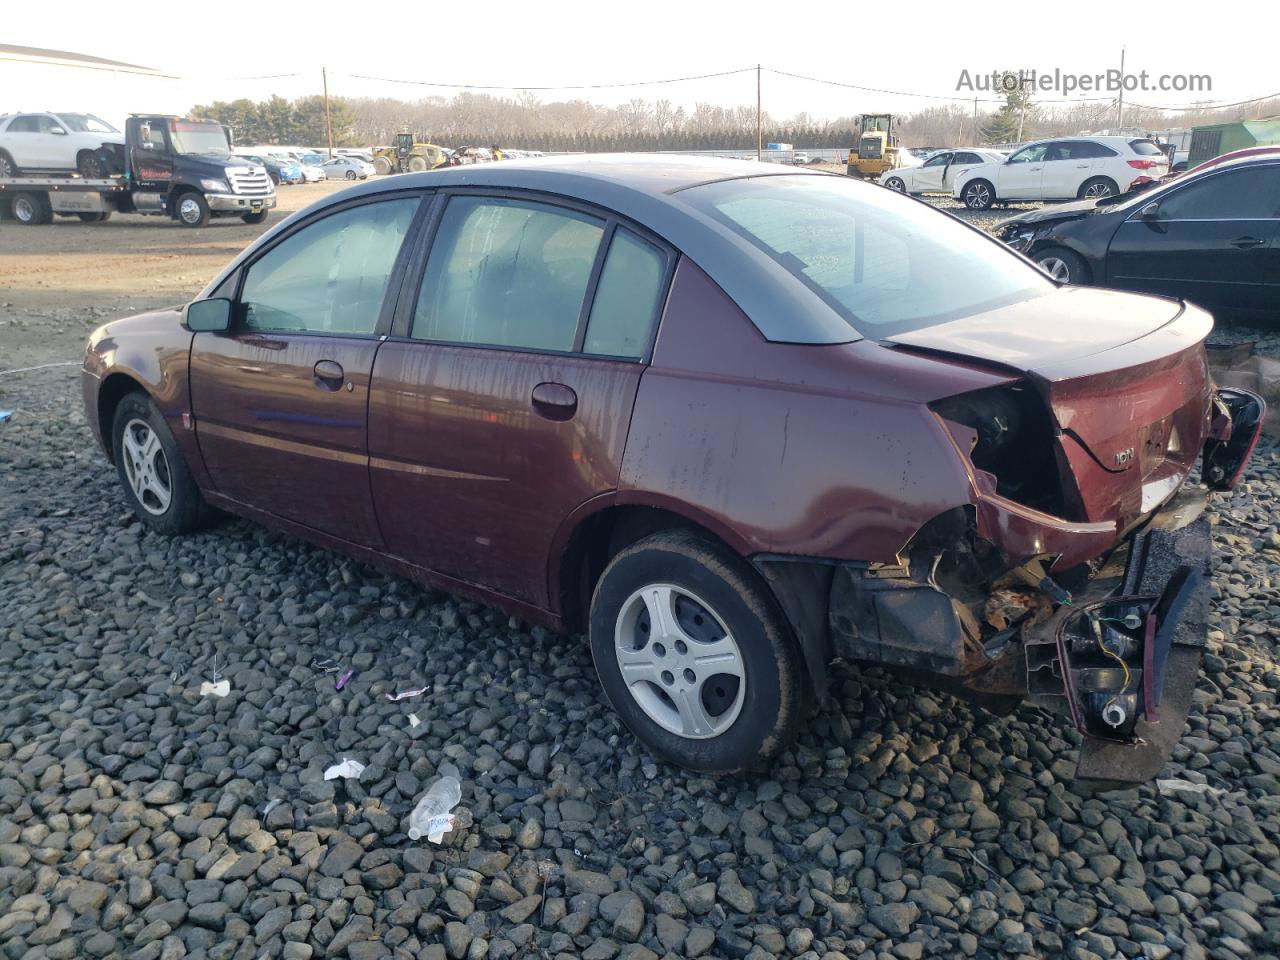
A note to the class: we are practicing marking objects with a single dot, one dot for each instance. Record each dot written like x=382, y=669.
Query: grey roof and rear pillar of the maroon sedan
x=644, y=189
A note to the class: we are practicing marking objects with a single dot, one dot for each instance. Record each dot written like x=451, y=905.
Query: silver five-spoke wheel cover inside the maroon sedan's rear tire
x=680, y=662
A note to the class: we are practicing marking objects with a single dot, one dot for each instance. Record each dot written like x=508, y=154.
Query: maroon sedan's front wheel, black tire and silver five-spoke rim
x=153, y=472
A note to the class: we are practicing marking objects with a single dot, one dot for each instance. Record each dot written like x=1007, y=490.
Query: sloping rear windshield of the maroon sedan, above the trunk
x=885, y=263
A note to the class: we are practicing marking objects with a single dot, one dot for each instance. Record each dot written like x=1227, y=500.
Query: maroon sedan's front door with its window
x=281, y=401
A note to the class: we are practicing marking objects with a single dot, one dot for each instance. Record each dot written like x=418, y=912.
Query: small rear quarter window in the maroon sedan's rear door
x=628, y=298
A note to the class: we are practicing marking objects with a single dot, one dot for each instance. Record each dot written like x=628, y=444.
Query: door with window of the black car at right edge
x=1213, y=241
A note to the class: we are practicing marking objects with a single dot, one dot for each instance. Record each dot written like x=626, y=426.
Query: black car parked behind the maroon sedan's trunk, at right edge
x=1210, y=237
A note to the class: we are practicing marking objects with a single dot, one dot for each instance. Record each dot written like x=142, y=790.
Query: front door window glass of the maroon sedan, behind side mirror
x=330, y=277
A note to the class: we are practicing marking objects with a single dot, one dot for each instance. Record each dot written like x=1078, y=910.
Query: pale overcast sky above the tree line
x=906, y=47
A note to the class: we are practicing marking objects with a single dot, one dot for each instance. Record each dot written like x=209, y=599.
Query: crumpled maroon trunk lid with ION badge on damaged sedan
x=1124, y=377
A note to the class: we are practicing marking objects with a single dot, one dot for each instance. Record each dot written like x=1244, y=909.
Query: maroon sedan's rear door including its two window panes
x=505, y=404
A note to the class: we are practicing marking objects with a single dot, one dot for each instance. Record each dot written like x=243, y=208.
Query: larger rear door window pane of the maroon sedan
x=508, y=273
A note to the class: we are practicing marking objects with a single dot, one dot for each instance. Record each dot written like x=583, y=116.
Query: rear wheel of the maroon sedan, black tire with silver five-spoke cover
x=761, y=711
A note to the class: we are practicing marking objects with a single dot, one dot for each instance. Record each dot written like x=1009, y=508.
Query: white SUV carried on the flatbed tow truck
x=45, y=143
